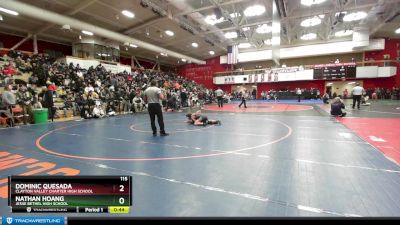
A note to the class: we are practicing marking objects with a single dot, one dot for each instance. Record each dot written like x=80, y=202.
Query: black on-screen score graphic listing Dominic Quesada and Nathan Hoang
x=78, y=194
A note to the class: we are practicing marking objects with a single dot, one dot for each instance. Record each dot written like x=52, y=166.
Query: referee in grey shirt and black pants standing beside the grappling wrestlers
x=152, y=96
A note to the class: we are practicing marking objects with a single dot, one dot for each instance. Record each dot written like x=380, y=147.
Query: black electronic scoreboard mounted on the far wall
x=334, y=71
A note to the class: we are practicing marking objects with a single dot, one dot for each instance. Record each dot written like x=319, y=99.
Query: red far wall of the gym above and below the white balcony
x=200, y=73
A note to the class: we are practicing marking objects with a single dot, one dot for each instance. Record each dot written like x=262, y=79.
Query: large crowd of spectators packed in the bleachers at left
x=94, y=92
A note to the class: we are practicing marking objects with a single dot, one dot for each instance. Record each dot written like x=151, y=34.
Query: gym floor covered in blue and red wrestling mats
x=271, y=159
